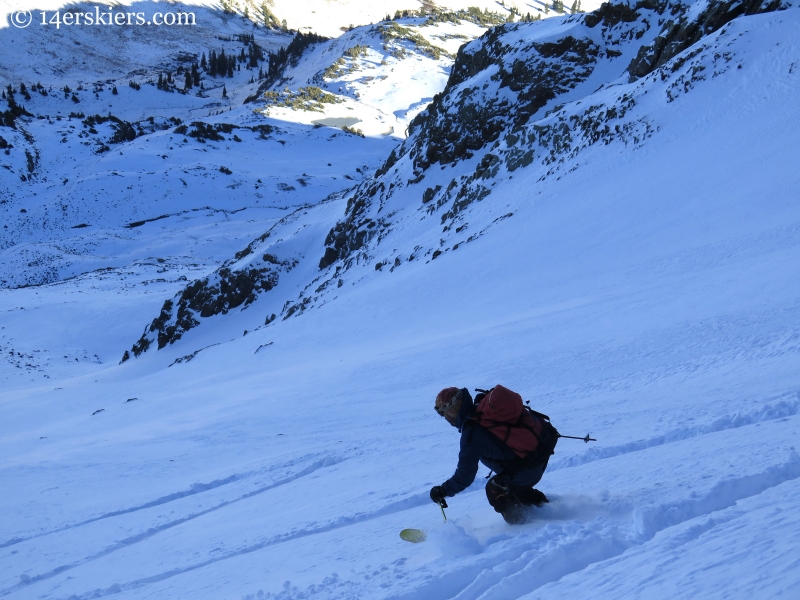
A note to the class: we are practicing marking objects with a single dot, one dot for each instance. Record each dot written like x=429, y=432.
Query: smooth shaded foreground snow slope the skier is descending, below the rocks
x=646, y=296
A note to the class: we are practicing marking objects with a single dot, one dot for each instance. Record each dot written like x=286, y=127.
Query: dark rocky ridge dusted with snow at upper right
x=528, y=95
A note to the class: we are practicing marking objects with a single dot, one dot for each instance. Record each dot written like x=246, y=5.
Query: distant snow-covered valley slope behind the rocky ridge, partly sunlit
x=79, y=193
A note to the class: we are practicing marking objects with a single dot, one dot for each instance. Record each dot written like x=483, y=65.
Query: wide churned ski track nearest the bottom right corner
x=520, y=565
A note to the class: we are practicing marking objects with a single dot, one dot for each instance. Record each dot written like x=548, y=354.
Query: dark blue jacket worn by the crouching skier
x=477, y=445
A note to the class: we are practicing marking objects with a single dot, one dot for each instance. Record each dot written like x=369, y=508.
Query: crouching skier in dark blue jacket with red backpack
x=506, y=436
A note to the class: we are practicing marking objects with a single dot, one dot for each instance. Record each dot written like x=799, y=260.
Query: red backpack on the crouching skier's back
x=528, y=433
